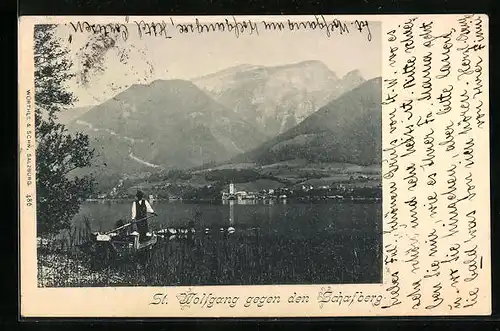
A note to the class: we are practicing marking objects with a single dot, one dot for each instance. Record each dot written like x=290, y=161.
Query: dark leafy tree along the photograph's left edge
x=58, y=153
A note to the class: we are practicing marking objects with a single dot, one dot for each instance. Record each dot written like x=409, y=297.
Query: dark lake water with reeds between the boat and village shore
x=280, y=243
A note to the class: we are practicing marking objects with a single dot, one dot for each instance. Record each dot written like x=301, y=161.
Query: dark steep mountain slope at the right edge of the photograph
x=346, y=130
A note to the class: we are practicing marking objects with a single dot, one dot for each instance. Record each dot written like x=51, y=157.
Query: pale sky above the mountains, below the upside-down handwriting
x=186, y=56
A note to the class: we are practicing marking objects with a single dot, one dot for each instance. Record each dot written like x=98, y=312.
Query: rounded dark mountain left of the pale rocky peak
x=170, y=123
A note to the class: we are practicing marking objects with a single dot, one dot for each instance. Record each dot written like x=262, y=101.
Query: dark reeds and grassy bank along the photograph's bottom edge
x=250, y=258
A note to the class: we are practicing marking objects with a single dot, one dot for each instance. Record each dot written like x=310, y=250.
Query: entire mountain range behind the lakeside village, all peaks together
x=241, y=114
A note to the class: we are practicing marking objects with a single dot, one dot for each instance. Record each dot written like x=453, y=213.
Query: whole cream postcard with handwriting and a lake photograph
x=254, y=166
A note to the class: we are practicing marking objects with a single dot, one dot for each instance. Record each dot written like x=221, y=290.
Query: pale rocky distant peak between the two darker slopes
x=276, y=99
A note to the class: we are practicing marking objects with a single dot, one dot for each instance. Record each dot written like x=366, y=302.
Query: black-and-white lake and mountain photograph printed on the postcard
x=166, y=158
